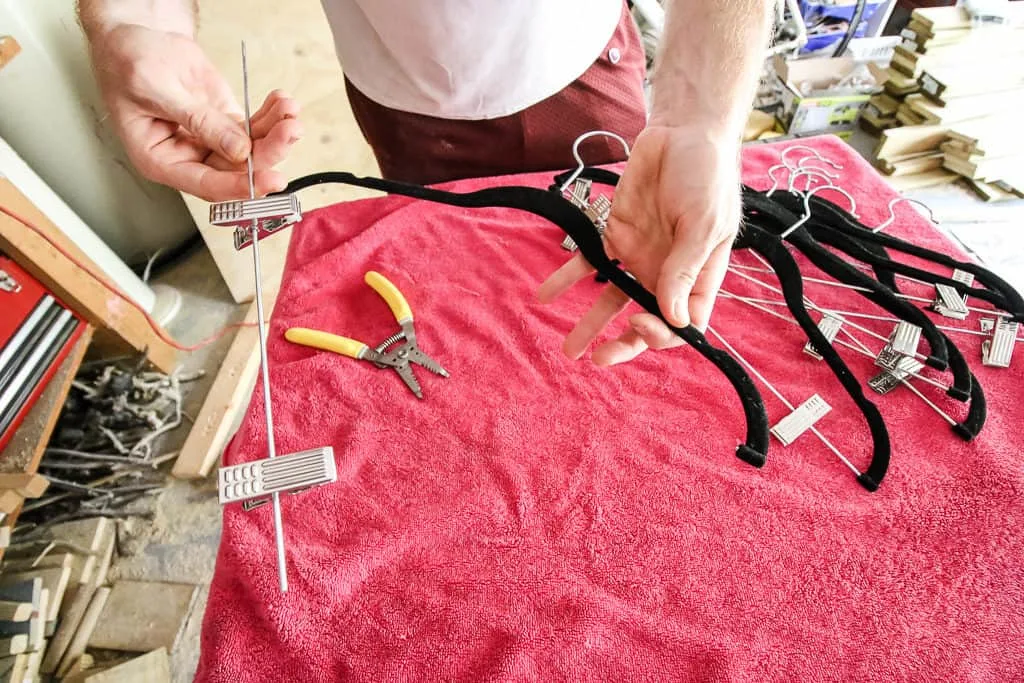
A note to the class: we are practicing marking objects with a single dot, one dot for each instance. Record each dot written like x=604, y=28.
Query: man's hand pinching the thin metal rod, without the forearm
x=180, y=122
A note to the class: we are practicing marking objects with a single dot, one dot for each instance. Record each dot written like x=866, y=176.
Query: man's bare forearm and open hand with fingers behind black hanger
x=677, y=207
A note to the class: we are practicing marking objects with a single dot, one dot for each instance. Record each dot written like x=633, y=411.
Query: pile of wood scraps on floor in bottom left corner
x=57, y=603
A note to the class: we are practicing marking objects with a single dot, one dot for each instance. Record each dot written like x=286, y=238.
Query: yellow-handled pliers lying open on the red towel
x=398, y=359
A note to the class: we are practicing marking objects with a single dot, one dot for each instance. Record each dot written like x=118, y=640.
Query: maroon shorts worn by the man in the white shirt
x=425, y=150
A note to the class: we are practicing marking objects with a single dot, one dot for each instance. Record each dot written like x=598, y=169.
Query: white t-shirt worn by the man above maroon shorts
x=468, y=59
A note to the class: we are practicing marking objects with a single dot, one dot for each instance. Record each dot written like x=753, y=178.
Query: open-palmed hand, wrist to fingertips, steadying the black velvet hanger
x=675, y=215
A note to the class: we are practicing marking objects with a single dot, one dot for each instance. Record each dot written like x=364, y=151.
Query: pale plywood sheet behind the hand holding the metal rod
x=289, y=47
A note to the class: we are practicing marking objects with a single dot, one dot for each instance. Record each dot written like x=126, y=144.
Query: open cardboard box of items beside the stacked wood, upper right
x=824, y=108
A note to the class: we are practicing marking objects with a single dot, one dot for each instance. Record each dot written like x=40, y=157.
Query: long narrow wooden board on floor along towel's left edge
x=228, y=398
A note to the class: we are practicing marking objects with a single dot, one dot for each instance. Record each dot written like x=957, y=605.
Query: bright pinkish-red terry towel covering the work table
x=537, y=519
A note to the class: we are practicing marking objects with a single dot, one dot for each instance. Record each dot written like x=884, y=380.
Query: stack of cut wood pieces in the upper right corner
x=951, y=105
